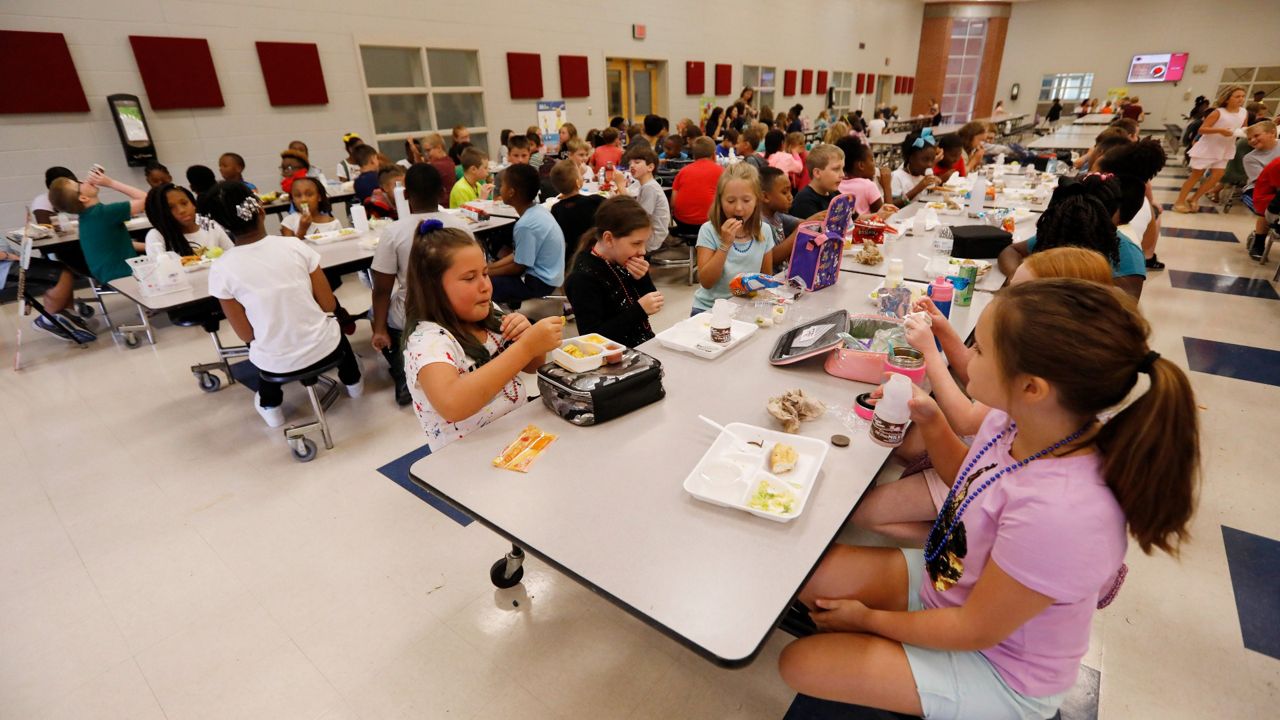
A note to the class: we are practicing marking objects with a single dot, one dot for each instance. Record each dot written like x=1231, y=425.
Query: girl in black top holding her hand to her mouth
x=610, y=288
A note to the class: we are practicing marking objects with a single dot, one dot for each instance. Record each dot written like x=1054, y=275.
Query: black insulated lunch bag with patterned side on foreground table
x=604, y=394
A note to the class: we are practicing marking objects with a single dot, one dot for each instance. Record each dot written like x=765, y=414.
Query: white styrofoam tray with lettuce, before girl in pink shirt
x=755, y=467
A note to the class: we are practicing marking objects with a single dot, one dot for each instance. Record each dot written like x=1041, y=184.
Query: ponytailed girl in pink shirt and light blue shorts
x=993, y=618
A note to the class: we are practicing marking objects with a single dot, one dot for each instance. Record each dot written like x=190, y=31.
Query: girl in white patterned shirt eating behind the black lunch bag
x=463, y=359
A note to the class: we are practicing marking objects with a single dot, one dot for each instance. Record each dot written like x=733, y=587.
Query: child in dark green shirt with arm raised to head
x=106, y=243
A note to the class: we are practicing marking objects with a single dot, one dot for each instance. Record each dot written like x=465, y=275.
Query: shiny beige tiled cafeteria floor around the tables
x=162, y=555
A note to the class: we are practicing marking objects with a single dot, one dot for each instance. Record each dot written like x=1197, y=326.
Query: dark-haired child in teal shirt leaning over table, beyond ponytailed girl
x=1086, y=215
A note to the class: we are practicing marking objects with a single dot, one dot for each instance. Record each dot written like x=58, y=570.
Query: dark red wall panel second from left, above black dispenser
x=177, y=72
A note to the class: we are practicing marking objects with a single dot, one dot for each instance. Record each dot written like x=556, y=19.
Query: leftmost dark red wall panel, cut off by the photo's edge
x=39, y=75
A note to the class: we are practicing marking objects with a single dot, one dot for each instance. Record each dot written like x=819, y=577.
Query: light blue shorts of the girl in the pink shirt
x=964, y=685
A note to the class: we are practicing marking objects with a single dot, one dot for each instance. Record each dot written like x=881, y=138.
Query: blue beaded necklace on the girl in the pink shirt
x=945, y=550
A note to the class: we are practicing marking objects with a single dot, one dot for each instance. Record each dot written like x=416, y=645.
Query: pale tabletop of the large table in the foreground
x=606, y=504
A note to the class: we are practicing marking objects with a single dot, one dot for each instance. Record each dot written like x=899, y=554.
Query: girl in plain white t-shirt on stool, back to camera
x=277, y=299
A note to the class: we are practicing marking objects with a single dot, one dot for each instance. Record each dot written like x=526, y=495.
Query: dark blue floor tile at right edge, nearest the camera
x=1255, y=564
